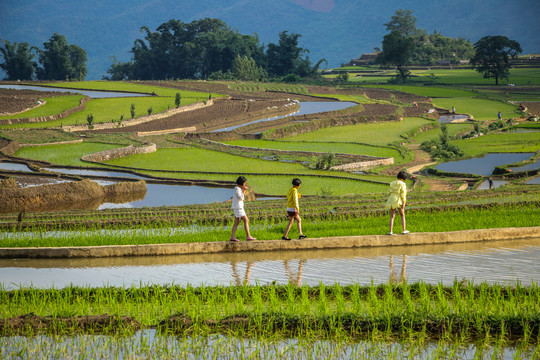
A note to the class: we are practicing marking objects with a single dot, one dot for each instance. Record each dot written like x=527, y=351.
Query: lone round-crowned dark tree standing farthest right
x=492, y=56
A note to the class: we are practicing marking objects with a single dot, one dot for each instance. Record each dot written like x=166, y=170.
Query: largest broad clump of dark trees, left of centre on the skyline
x=188, y=50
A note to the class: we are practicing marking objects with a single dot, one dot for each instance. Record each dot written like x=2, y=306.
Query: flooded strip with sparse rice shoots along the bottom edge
x=148, y=344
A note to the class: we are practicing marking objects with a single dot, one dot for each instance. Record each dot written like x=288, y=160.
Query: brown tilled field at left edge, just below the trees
x=15, y=101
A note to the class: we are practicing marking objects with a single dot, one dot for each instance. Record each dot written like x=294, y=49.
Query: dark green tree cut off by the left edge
x=18, y=61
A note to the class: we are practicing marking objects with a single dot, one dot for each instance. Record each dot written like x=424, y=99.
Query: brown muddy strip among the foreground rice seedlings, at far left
x=99, y=323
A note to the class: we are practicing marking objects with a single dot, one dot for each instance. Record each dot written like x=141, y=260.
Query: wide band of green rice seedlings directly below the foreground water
x=268, y=312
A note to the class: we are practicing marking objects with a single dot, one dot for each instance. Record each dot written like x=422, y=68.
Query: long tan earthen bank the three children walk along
x=462, y=236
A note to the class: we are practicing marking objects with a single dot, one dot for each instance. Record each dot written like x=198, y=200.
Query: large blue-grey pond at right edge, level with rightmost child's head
x=484, y=165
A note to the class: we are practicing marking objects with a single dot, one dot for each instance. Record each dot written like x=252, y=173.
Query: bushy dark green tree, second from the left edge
x=61, y=61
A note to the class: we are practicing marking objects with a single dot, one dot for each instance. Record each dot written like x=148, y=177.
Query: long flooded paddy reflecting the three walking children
x=502, y=262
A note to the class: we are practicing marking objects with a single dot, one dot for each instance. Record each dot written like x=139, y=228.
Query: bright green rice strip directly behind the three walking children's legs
x=325, y=224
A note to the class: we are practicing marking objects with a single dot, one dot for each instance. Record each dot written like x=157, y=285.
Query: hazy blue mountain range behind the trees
x=337, y=30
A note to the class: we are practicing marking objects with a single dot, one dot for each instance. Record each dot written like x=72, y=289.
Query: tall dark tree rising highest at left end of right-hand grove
x=397, y=50
